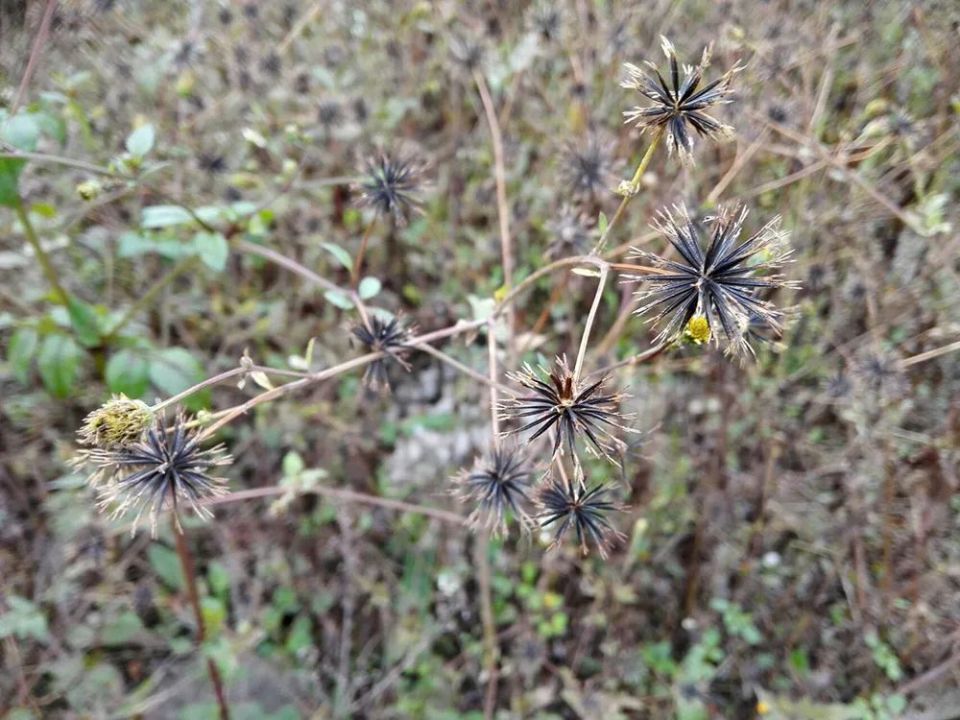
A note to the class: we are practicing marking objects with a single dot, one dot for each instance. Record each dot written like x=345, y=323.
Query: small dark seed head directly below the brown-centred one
x=564, y=506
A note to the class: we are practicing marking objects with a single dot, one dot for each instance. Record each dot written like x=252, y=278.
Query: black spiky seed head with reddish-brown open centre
x=569, y=408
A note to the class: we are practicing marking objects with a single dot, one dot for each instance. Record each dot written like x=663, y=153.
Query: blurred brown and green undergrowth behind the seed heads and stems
x=791, y=534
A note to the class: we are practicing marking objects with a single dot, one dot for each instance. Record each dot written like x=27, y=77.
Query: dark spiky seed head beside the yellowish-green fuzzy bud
x=167, y=469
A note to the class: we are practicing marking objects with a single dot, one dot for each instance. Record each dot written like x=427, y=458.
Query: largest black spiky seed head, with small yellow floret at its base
x=721, y=282
